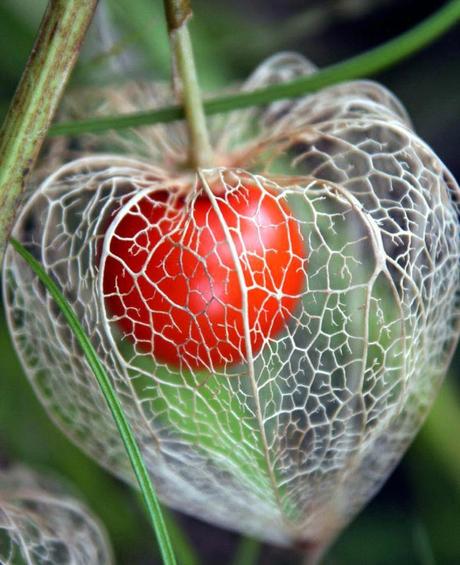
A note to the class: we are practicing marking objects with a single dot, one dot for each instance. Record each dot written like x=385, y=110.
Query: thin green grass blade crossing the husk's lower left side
x=126, y=433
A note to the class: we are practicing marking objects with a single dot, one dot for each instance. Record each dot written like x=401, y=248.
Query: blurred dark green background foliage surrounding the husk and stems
x=416, y=516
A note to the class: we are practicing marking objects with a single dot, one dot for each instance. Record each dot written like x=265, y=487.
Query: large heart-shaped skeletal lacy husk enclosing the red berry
x=283, y=414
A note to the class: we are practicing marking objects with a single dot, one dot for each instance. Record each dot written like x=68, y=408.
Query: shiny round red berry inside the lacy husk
x=171, y=278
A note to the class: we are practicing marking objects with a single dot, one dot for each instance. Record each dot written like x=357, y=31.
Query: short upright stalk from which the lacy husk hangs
x=178, y=13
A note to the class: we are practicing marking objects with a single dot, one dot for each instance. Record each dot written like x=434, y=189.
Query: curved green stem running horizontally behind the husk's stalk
x=367, y=64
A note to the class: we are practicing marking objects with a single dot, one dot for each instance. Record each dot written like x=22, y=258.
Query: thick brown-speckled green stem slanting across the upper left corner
x=43, y=81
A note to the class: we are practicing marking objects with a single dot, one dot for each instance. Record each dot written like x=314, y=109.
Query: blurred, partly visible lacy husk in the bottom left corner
x=41, y=524
